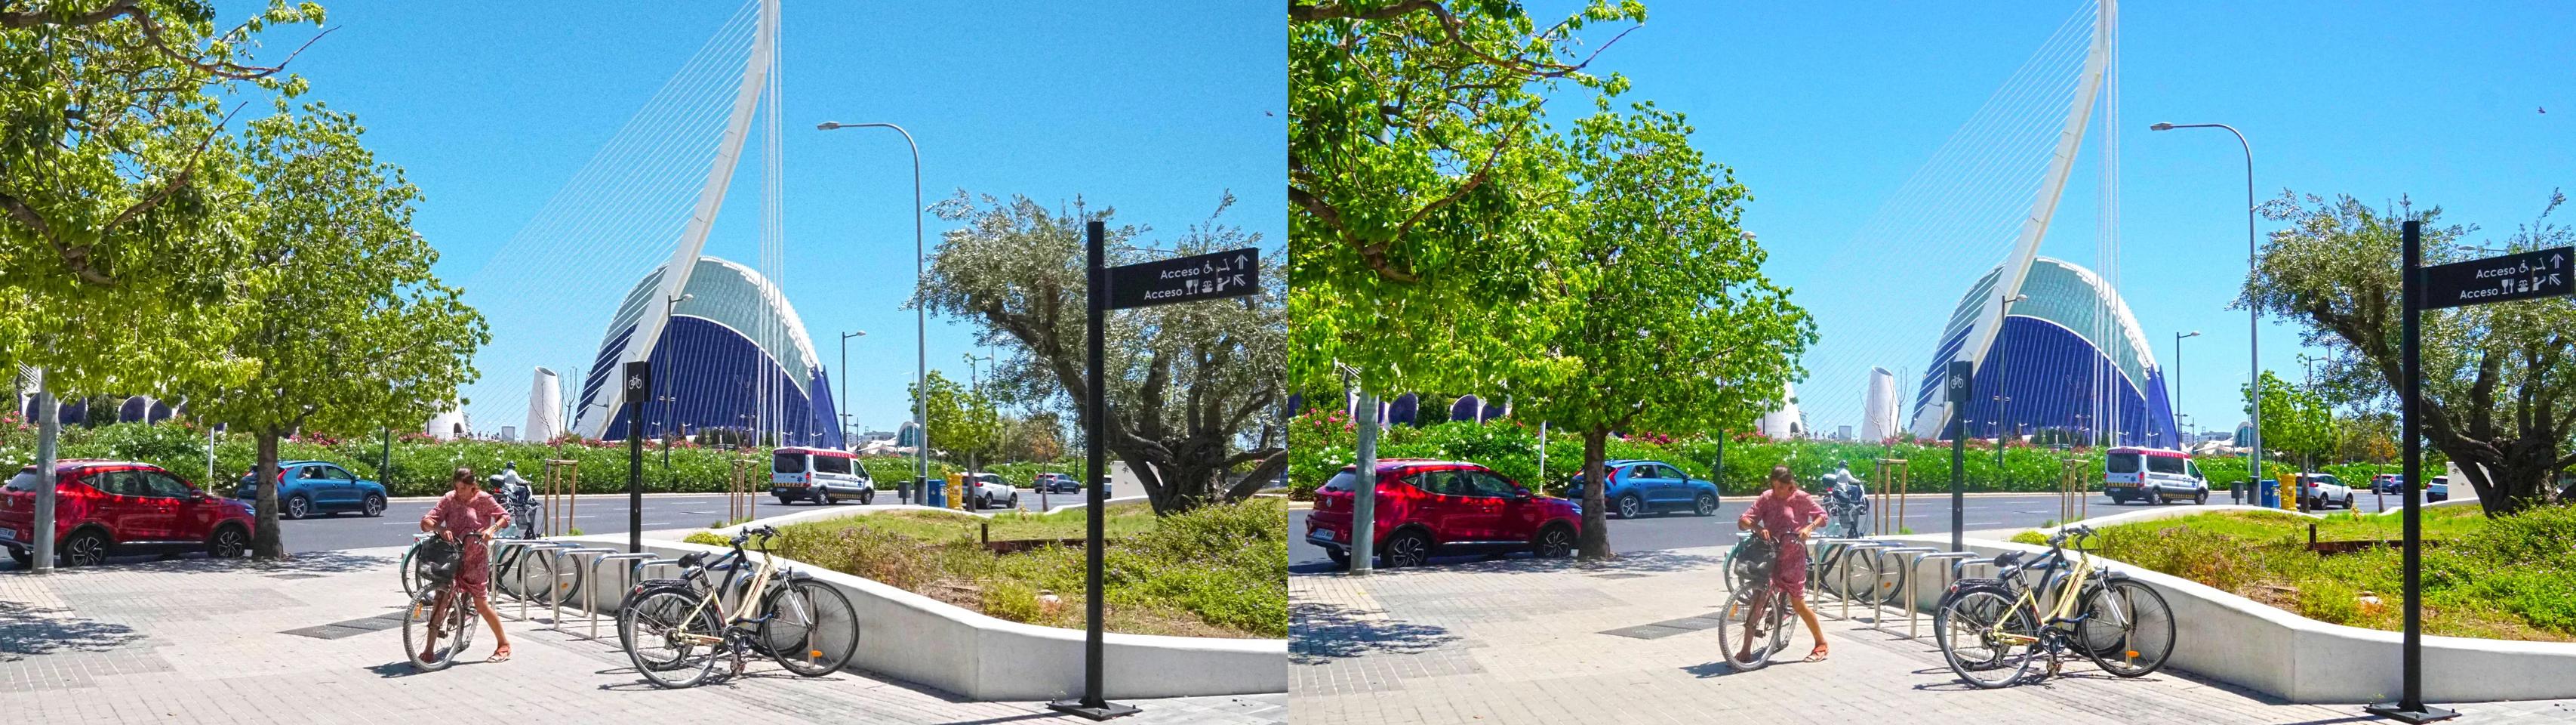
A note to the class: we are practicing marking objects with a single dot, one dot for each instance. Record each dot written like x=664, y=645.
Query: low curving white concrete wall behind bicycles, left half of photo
x=978, y=657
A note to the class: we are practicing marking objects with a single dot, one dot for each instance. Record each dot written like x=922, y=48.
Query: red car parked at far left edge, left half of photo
x=120, y=507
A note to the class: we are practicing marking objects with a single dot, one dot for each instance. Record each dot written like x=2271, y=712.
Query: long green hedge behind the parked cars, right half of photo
x=1323, y=442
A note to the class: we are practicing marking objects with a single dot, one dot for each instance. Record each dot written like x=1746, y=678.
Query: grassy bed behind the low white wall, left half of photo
x=1220, y=571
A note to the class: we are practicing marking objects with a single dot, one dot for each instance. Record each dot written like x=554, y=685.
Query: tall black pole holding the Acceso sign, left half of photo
x=1096, y=404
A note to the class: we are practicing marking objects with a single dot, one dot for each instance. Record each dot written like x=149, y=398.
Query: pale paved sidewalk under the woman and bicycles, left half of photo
x=207, y=641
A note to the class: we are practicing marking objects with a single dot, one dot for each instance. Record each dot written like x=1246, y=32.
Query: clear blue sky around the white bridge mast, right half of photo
x=1825, y=110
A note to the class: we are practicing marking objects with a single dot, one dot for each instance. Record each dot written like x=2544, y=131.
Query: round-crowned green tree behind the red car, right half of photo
x=1676, y=329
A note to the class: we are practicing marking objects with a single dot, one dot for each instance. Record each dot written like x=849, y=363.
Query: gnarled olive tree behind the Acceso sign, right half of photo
x=2500, y=381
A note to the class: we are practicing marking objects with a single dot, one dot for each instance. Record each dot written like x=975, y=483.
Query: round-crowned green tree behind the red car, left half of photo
x=357, y=332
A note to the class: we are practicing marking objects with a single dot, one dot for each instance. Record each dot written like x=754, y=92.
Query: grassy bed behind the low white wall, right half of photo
x=2503, y=579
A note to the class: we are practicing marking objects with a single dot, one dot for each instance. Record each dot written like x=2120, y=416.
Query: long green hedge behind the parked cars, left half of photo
x=421, y=466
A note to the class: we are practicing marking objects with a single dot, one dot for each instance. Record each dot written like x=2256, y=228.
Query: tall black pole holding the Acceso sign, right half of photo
x=2415, y=298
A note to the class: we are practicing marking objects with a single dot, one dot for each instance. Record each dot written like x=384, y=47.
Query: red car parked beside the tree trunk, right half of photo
x=1444, y=510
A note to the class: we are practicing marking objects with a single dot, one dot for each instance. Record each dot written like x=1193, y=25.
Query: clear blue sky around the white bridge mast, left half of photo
x=1155, y=110
